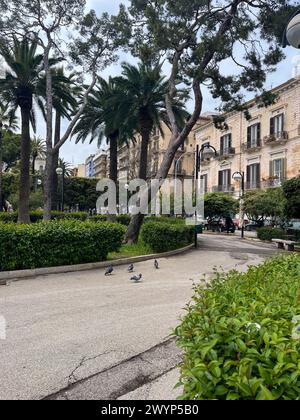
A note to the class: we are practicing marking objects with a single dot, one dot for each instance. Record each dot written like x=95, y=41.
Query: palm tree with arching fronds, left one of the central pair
x=98, y=122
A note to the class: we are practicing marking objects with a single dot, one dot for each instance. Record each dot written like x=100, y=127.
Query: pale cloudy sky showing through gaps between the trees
x=77, y=154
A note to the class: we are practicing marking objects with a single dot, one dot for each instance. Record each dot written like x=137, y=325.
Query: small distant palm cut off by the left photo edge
x=8, y=123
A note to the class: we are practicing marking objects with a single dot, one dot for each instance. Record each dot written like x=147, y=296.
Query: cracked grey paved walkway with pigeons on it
x=84, y=335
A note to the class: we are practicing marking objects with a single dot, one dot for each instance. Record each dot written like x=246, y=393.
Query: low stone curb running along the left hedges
x=23, y=274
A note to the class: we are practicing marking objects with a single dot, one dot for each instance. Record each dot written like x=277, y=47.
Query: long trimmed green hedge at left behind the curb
x=57, y=243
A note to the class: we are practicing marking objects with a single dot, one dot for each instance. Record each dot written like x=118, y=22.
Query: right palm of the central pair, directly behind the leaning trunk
x=141, y=106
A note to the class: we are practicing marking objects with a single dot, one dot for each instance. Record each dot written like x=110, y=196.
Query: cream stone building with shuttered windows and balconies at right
x=266, y=148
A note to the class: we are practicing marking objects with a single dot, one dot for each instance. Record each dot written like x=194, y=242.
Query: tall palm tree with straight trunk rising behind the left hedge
x=21, y=87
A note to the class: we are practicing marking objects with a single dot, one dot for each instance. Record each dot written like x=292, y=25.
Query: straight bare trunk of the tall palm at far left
x=24, y=189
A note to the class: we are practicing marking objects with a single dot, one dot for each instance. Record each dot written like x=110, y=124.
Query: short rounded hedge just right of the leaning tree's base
x=162, y=236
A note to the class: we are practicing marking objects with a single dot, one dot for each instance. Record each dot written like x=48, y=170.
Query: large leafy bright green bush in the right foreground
x=242, y=335
